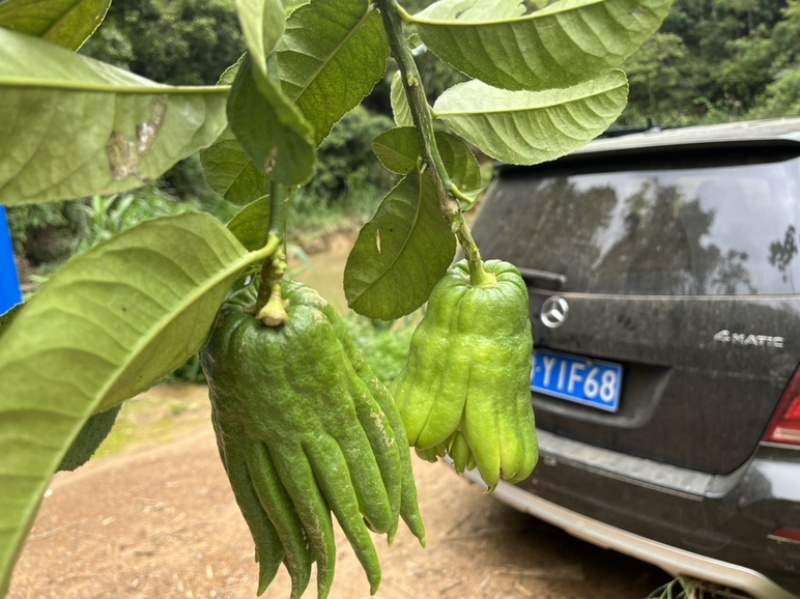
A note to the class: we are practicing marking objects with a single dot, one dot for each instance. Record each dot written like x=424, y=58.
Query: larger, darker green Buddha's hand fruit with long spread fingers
x=302, y=432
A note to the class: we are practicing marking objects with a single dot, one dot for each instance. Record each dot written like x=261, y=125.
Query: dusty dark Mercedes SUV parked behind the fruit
x=664, y=283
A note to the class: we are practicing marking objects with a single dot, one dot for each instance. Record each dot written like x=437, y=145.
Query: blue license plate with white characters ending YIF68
x=589, y=382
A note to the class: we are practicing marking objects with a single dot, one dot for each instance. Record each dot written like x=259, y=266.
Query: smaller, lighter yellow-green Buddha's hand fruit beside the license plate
x=465, y=389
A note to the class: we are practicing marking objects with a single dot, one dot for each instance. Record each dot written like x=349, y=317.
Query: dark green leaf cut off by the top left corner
x=66, y=23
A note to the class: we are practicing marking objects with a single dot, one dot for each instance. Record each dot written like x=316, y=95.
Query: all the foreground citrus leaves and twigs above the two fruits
x=116, y=319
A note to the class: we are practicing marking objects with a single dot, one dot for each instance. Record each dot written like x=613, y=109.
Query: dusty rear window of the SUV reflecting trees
x=698, y=224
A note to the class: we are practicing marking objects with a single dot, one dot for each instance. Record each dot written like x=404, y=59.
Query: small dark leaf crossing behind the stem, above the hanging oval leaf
x=399, y=150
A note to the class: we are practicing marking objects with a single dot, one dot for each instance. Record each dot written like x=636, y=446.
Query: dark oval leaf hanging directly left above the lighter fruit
x=401, y=253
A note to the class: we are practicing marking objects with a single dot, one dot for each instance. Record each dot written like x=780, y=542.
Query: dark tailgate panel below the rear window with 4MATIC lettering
x=676, y=375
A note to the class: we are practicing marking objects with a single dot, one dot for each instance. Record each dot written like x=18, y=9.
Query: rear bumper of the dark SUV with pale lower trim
x=715, y=528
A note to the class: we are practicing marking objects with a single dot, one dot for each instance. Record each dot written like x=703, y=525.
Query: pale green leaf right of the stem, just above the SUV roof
x=521, y=127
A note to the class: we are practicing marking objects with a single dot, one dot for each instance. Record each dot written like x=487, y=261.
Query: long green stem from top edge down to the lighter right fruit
x=423, y=121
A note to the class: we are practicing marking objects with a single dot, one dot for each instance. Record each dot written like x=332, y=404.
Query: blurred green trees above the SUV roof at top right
x=718, y=60
